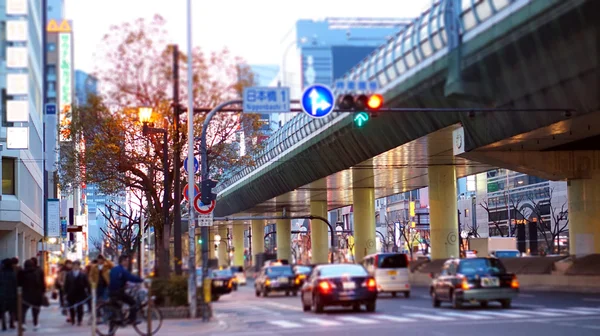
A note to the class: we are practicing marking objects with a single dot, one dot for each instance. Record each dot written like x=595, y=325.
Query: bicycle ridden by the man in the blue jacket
x=109, y=317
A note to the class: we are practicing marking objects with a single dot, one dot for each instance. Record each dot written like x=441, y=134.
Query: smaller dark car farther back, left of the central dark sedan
x=275, y=279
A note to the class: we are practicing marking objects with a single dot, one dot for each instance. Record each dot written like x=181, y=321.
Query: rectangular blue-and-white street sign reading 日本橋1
x=266, y=99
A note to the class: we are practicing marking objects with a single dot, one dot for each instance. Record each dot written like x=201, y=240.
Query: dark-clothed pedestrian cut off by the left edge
x=8, y=293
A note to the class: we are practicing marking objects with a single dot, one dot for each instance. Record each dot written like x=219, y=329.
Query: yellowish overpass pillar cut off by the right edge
x=584, y=215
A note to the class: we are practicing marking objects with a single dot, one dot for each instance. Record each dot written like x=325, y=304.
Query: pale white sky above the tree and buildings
x=251, y=29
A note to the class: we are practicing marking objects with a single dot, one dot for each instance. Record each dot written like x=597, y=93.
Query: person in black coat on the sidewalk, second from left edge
x=33, y=291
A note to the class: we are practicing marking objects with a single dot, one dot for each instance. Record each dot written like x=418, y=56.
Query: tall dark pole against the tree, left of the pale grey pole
x=176, y=167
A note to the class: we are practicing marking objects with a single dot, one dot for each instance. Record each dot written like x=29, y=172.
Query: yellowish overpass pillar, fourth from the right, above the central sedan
x=319, y=233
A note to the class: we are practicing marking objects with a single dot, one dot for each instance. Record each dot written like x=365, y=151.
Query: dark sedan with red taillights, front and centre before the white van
x=347, y=285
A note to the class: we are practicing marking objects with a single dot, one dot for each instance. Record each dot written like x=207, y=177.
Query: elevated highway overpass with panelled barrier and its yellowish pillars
x=522, y=54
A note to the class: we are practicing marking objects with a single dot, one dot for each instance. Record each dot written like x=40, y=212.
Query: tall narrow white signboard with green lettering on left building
x=66, y=84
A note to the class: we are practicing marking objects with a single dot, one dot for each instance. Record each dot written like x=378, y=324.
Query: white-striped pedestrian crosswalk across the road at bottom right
x=440, y=315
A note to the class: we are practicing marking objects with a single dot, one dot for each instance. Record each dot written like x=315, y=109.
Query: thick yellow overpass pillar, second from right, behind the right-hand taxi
x=443, y=212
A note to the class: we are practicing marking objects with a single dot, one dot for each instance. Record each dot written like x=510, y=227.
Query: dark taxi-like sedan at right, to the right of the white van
x=475, y=280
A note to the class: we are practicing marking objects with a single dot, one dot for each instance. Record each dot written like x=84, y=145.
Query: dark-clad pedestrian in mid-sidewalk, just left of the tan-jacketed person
x=77, y=289
